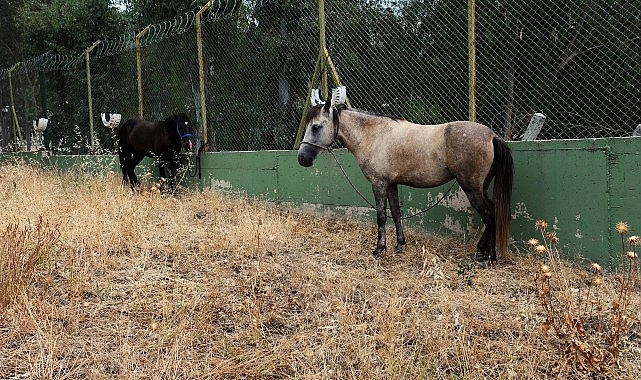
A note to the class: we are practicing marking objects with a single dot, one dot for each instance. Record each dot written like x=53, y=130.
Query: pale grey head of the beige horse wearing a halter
x=321, y=126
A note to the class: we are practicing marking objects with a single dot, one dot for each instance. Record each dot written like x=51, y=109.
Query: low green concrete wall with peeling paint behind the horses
x=580, y=187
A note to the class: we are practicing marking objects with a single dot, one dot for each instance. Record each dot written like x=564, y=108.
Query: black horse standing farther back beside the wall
x=162, y=140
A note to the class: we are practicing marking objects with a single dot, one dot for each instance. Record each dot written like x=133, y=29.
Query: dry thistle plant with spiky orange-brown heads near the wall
x=588, y=320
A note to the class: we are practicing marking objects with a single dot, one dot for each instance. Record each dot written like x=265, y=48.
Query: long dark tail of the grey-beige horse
x=504, y=171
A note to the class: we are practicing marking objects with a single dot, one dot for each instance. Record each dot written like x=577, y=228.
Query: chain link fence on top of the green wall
x=577, y=62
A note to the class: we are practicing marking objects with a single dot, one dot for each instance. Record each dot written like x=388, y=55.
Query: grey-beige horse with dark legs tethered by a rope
x=392, y=152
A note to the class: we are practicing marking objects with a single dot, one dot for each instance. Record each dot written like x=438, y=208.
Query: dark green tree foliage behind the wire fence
x=577, y=61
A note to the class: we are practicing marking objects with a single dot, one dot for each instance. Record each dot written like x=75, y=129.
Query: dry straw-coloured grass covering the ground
x=138, y=286
